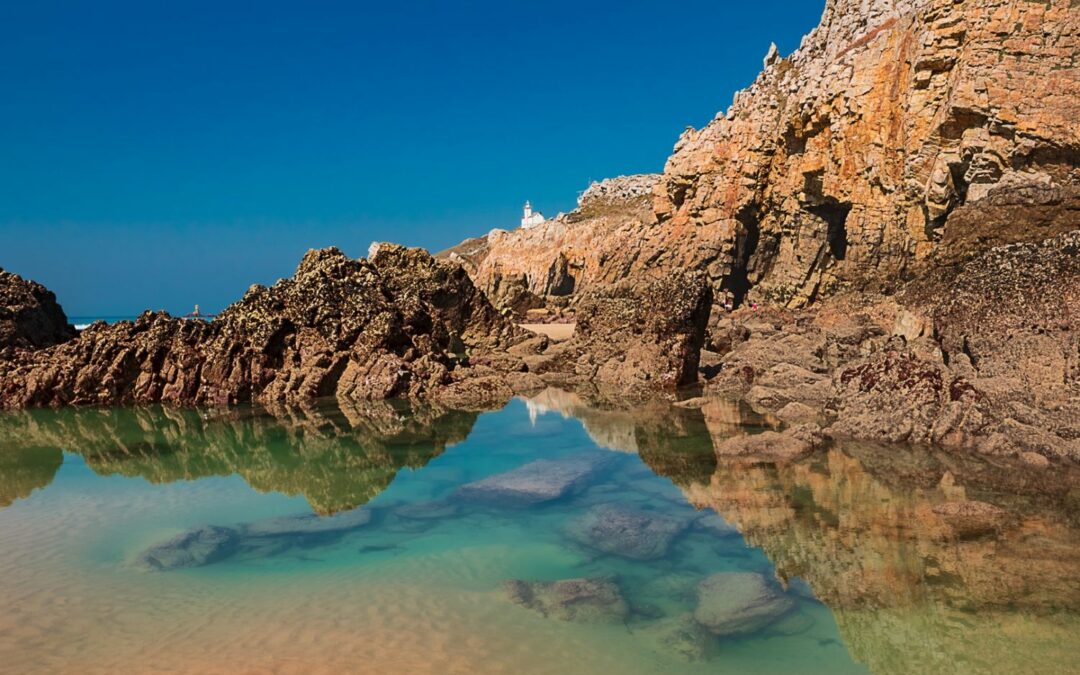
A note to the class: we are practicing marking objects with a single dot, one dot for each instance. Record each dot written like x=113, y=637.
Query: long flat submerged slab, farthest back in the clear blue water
x=537, y=482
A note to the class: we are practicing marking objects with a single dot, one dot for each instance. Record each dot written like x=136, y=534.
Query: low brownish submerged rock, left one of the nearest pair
x=595, y=601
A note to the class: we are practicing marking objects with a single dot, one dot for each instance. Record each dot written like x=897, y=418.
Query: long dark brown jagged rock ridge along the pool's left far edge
x=401, y=325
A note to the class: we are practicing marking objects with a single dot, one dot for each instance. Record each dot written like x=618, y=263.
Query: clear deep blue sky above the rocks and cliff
x=157, y=155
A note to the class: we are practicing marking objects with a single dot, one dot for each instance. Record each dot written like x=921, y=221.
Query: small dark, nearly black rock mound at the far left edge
x=30, y=316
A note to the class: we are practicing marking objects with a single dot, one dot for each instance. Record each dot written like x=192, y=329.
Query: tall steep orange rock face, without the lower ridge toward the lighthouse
x=842, y=165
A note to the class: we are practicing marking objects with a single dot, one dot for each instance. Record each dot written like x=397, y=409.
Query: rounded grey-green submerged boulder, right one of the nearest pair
x=739, y=603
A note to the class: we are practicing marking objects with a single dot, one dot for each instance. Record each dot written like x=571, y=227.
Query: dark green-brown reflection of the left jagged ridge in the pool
x=337, y=458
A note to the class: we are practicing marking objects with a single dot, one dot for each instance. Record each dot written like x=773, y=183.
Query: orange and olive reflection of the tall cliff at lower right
x=914, y=589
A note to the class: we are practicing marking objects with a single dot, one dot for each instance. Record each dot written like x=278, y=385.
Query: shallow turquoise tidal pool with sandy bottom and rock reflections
x=422, y=588
